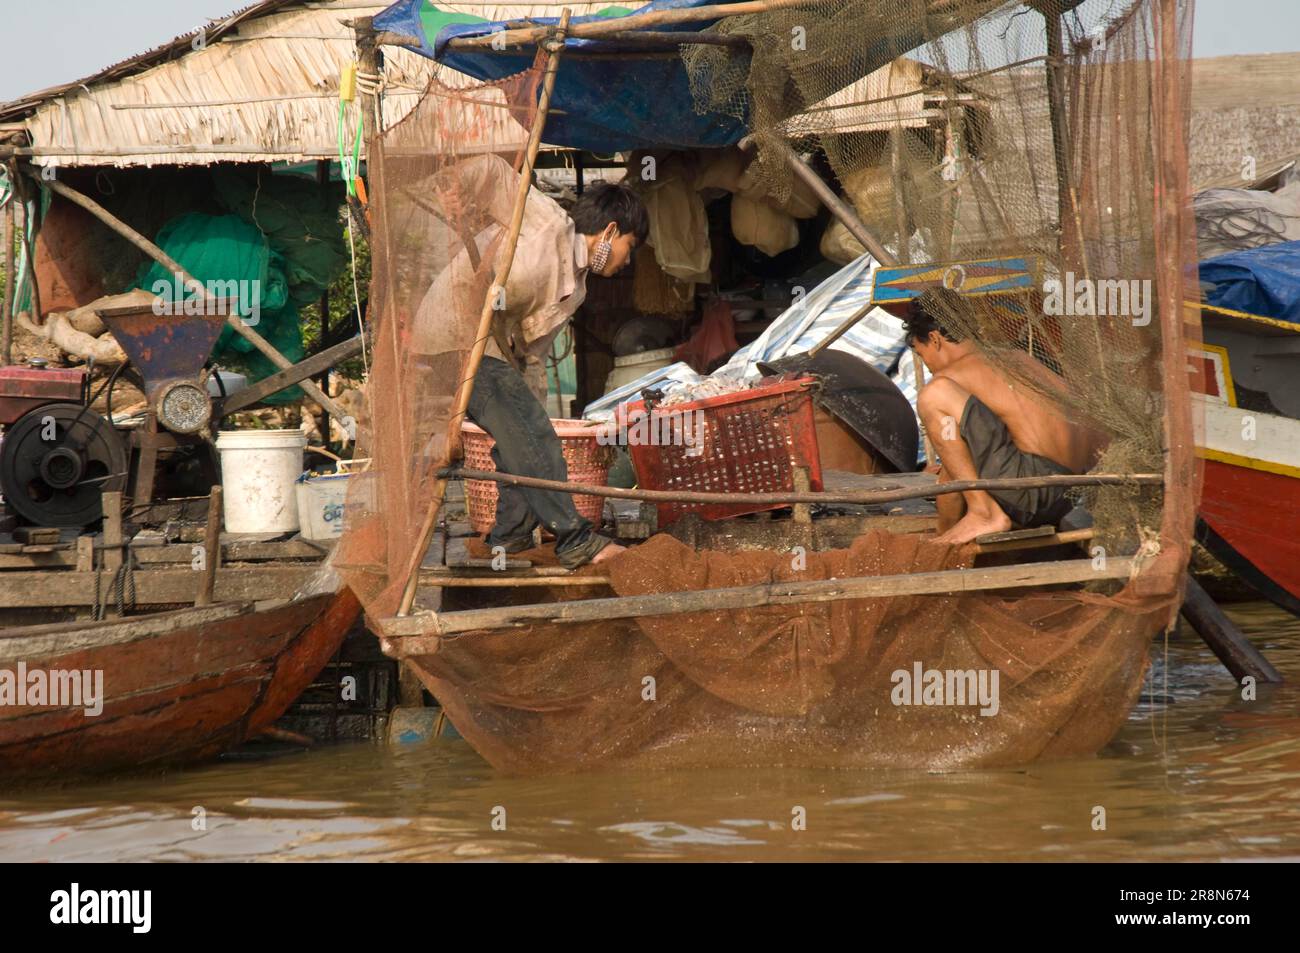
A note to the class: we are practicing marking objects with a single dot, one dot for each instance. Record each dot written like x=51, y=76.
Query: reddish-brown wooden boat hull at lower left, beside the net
x=177, y=687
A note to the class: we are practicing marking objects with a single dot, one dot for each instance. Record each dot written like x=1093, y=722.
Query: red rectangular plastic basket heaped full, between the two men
x=753, y=441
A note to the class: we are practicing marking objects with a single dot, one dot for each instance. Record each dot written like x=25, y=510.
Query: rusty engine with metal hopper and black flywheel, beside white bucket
x=58, y=456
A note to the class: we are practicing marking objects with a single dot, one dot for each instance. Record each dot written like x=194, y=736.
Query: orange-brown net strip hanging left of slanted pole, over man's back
x=443, y=194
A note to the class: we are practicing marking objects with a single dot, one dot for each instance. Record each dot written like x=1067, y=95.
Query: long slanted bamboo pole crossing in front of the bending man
x=506, y=259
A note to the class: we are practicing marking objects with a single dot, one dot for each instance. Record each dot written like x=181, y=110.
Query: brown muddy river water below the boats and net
x=1195, y=774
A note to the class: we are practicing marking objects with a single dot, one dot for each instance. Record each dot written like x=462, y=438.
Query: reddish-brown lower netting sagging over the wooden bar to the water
x=809, y=685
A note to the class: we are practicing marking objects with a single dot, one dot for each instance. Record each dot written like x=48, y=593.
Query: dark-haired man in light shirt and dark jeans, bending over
x=547, y=285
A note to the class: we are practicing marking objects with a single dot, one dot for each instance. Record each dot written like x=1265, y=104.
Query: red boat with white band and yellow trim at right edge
x=1251, y=445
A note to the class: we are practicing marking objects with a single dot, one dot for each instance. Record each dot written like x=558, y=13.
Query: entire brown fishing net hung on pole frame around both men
x=978, y=107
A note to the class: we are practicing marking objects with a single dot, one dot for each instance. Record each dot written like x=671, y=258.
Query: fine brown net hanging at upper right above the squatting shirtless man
x=968, y=109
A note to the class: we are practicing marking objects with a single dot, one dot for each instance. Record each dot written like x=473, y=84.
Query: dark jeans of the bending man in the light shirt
x=527, y=445
